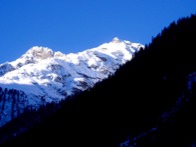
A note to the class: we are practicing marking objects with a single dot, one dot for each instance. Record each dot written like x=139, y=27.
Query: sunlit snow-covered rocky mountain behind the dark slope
x=47, y=76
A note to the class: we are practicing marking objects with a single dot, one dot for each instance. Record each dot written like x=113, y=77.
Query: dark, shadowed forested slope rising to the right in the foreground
x=149, y=101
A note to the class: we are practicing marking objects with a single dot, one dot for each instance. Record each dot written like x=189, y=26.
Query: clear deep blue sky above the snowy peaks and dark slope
x=75, y=25
